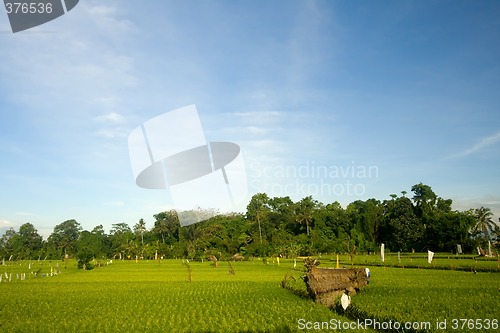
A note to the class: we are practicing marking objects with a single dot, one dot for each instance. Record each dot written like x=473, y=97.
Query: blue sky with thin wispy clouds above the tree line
x=401, y=92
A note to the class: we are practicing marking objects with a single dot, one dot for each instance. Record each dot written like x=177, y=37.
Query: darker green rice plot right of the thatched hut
x=416, y=295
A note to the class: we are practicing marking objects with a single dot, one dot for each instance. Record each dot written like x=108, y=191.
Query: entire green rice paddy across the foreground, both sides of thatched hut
x=157, y=296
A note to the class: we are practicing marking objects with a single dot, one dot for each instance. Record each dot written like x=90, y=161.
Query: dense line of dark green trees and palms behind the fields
x=272, y=226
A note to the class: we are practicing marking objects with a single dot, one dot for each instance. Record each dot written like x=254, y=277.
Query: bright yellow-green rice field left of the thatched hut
x=154, y=296
